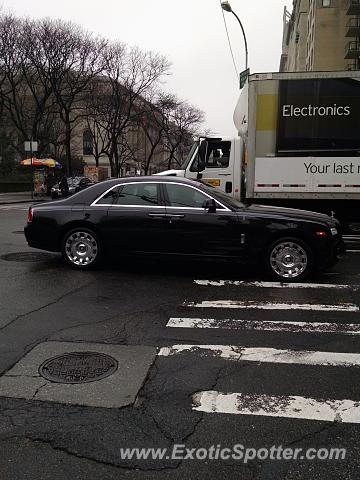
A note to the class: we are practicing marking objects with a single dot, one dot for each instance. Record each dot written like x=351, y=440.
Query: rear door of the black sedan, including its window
x=136, y=221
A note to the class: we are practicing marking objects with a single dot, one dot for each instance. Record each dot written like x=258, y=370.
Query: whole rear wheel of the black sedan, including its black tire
x=81, y=248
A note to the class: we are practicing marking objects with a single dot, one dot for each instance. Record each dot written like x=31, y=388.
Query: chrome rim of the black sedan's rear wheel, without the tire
x=81, y=248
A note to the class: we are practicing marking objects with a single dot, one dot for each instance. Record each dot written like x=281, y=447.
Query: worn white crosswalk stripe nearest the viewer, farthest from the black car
x=346, y=411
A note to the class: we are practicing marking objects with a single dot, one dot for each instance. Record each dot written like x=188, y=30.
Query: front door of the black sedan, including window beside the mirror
x=194, y=230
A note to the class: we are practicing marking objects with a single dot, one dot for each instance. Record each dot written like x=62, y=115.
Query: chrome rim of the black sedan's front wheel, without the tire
x=288, y=259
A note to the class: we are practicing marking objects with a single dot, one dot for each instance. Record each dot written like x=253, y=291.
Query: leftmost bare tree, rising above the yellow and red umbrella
x=25, y=92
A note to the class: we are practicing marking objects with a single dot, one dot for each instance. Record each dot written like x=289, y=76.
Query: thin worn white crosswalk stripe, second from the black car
x=342, y=307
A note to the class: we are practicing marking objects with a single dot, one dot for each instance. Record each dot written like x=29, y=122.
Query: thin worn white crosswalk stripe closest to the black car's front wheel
x=242, y=283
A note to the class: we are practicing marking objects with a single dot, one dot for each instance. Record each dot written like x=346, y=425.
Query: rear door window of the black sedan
x=138, y=194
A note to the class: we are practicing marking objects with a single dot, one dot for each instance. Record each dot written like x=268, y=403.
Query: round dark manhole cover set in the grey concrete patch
x=78, y=367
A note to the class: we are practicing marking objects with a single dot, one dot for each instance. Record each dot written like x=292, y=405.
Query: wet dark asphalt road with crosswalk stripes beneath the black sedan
x=233, y=363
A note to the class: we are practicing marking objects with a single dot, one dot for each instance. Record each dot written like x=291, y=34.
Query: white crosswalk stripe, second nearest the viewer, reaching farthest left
x=267, y=355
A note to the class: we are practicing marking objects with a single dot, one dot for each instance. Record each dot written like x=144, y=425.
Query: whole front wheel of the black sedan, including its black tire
x=289, y=260
